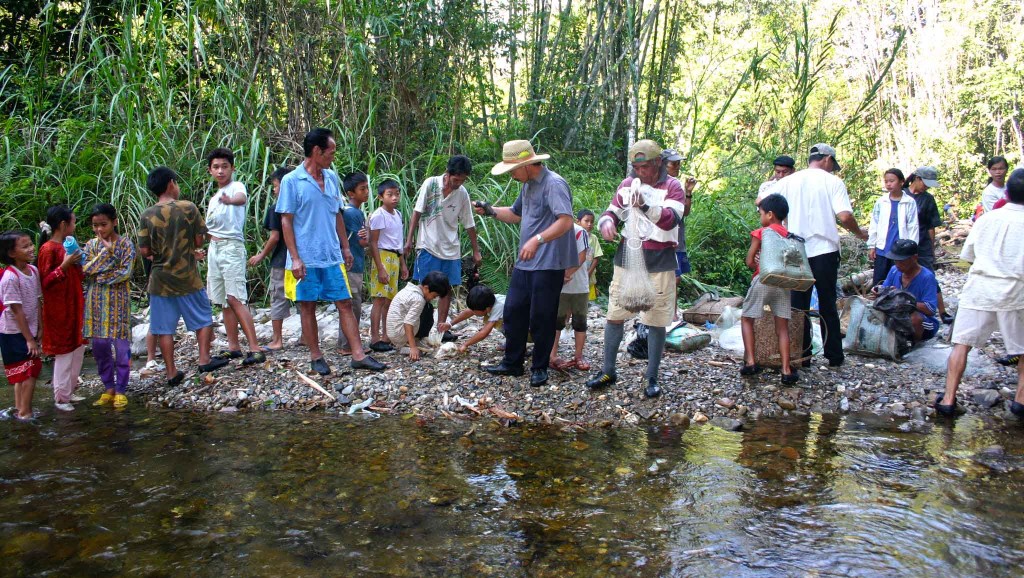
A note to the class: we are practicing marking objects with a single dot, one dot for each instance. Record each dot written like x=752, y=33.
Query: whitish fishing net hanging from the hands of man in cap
x=638, y=292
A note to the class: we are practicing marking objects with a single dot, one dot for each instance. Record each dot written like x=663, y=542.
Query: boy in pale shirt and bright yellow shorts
x=389, y=265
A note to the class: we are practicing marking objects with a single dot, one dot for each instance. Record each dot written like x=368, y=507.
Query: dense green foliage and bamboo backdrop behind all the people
x=96, y=94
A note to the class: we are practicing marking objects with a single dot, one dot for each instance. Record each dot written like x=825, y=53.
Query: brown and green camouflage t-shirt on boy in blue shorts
x=169, y=231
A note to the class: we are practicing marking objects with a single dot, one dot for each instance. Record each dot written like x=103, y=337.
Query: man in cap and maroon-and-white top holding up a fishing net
x=664, y=207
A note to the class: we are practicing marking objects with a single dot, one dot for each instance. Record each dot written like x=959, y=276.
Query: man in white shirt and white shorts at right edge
x=994, y=296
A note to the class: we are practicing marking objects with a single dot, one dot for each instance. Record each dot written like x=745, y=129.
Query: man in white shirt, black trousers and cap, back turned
x=818, y=198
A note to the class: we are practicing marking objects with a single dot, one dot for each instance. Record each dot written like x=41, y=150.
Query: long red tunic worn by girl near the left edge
x=64, y=301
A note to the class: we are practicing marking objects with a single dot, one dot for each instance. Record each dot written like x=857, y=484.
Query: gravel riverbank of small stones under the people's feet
x=698, y=387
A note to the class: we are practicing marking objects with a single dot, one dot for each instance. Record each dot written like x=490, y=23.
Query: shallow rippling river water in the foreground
x=149, y=492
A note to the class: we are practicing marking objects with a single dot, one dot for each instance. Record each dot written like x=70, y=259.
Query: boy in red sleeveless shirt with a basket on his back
x=774, y=211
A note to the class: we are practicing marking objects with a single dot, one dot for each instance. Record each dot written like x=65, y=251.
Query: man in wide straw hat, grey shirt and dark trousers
x=544, y=213
